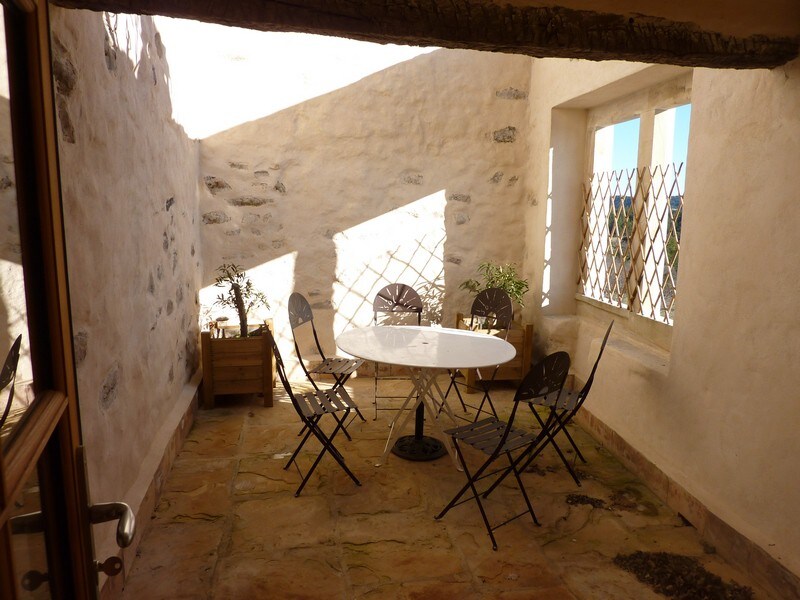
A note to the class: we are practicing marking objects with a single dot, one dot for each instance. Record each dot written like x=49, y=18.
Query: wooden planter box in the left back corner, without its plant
x=237, y=366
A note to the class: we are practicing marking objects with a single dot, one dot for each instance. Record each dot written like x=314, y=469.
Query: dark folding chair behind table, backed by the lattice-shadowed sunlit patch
x=394, y=304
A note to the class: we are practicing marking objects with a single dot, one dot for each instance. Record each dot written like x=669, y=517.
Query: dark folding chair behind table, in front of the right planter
x=492, y=311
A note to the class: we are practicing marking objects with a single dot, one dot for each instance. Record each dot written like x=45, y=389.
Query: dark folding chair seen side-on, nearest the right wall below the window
x=561, y=411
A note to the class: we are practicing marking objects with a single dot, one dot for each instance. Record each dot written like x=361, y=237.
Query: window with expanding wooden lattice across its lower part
x=632, y=213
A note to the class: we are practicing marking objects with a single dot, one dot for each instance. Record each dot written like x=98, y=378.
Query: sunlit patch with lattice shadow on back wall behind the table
x=405, y=245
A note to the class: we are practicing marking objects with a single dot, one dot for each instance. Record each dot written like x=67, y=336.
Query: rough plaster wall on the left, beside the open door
x=128, y=176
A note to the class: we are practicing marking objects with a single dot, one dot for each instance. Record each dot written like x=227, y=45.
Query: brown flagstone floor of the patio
x=228, y=525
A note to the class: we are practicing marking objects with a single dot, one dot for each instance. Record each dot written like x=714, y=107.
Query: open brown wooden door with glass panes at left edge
x=45, y=542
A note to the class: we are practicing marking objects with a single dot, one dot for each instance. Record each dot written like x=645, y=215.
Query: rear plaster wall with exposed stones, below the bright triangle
x=413, y=174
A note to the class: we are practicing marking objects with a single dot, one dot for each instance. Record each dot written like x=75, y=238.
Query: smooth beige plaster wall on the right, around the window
x=717, y=411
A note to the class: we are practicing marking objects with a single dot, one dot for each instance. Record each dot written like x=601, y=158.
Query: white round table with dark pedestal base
x=425, y=350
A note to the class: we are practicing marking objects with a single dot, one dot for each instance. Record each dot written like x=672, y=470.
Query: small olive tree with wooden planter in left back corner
x=243, y=364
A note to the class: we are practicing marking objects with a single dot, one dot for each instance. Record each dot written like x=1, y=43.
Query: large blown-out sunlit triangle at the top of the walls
x=223, y=76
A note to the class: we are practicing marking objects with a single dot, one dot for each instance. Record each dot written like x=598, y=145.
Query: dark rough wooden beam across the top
x=531, y=30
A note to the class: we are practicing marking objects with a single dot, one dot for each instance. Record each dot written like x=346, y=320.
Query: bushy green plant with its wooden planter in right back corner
x=520, y=335
